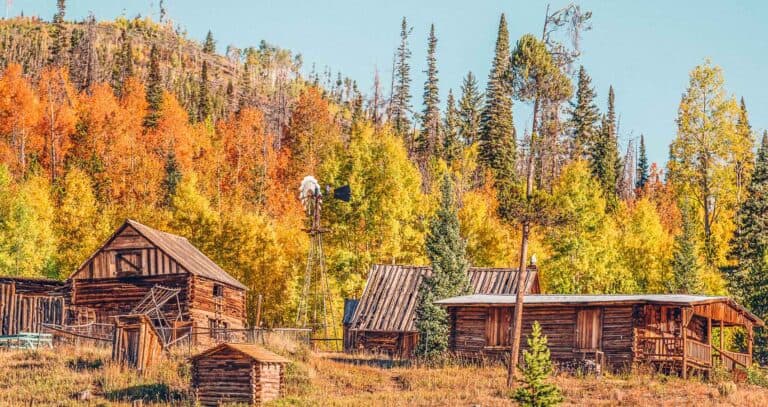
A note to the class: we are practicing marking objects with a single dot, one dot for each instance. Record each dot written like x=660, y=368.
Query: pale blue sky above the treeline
x=645, y=49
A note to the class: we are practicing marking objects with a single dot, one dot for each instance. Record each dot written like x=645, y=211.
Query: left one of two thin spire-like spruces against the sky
x=401, y=97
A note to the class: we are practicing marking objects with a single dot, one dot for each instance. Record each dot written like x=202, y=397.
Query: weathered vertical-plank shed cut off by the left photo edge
x=27, y=303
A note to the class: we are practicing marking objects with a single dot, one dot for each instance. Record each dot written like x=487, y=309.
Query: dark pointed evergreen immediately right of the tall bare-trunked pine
x=584, y=117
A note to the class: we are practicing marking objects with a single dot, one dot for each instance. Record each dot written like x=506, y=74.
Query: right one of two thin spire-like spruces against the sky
x=428, y=139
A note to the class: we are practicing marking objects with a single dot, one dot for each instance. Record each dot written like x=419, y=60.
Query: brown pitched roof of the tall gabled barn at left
x=181, y=250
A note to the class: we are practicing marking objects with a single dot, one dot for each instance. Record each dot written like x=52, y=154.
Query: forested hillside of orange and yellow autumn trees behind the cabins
x=101, y=121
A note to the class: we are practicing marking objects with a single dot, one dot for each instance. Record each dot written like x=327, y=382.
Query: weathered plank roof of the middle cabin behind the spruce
x=388, y=303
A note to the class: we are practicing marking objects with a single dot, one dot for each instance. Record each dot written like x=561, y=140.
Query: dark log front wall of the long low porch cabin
x=483, y=332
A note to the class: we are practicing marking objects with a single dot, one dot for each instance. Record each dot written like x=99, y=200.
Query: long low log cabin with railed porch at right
x=670, y=332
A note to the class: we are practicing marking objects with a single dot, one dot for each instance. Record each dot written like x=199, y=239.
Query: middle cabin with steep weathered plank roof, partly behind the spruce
x=384, y=318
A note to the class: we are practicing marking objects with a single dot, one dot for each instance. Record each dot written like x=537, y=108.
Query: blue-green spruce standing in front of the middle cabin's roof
x=446, y=251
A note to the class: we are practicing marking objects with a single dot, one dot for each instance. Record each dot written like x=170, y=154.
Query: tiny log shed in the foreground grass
x=237, y=373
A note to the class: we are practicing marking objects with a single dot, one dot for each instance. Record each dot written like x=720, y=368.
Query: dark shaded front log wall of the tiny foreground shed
x=226, y=376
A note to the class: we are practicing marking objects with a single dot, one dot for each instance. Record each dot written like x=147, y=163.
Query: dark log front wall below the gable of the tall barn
x=109, y=297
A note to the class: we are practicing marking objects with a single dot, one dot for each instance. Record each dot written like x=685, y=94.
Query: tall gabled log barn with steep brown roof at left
x=136, y=258
